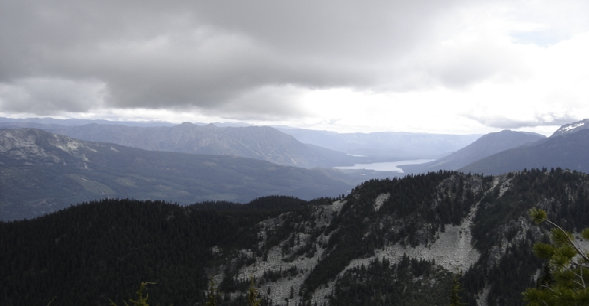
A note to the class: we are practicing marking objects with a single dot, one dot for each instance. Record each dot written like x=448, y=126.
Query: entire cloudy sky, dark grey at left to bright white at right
x=455, y=66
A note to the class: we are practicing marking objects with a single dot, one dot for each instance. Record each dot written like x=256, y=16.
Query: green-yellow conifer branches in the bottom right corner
x=567, y=273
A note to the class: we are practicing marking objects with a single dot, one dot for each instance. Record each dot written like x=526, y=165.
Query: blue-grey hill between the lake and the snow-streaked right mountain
x=483, y=147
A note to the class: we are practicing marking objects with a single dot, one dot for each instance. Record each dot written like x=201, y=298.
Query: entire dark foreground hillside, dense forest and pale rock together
x=391, y=242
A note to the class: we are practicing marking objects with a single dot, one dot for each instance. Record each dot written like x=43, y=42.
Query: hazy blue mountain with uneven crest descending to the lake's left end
x=263, y=143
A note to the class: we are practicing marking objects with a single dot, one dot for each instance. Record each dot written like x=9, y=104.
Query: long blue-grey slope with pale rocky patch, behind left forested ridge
x=42, y=172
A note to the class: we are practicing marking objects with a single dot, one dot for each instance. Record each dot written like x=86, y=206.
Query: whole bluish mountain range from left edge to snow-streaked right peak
x=492, y=153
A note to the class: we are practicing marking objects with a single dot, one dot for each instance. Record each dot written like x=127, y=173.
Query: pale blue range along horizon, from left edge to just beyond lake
x=308, y=148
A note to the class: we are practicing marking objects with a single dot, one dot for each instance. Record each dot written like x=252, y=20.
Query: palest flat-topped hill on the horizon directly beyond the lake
x=385, y=146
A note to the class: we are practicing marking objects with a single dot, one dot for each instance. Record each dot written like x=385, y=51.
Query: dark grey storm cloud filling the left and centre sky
x=214, y=55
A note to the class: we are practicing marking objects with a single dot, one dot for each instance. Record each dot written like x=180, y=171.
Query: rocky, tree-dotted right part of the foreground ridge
x=465, y=224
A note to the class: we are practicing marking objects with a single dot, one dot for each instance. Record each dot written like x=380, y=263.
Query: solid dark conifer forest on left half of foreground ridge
x=102, y=250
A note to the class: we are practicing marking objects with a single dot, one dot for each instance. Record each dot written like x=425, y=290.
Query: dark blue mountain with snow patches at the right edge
x=565, y=149
